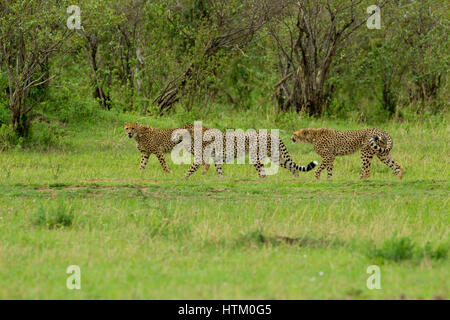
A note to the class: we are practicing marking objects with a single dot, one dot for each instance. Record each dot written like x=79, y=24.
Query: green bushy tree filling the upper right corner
x=407, y=60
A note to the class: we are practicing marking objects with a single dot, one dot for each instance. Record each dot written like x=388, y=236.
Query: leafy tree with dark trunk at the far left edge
x=30, y=33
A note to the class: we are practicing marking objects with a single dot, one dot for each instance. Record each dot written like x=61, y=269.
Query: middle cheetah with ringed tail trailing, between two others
x=241, y=146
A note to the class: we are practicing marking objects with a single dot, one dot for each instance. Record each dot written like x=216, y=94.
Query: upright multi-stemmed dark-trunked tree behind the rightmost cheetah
x=308, y=38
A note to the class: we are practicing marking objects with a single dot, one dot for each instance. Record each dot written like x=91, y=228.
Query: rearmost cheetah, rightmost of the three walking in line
x=330, y=143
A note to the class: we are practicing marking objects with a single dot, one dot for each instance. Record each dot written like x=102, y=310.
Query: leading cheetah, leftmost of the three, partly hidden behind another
x=154, y=141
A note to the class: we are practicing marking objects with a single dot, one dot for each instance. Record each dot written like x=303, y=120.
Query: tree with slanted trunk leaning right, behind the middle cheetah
x=218, y=26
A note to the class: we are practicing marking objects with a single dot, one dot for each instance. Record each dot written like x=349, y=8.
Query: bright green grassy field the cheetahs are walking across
x=153, y=235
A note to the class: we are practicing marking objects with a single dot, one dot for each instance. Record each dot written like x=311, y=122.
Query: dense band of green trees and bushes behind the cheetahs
x=161, y=57
